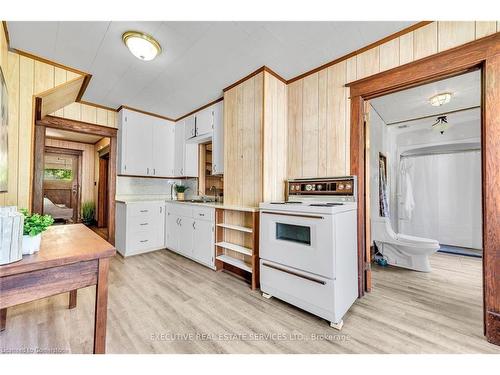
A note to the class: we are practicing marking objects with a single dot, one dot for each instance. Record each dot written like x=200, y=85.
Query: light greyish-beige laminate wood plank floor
x=163, y=303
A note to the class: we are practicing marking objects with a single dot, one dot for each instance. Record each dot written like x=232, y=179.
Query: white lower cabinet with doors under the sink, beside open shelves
x=190, y=231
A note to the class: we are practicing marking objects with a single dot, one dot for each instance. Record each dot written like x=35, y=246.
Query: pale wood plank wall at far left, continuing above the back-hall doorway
x=25, y=78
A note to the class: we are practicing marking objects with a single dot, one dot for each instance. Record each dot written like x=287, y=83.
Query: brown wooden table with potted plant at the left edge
x=70, y=257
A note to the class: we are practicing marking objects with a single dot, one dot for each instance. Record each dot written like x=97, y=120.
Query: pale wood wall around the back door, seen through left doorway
x=88, y=191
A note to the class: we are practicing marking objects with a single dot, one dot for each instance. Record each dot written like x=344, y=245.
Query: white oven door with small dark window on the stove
x=302, y=241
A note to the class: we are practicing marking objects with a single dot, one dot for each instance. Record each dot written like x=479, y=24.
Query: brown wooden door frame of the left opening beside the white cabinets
x=79, y=127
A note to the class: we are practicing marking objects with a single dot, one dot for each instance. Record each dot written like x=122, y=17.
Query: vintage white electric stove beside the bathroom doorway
x=308, y=247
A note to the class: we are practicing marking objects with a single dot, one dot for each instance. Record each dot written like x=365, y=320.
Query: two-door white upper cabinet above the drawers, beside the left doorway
x=145, y=145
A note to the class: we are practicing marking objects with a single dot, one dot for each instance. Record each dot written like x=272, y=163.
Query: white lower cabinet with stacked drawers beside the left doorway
x=140, y=227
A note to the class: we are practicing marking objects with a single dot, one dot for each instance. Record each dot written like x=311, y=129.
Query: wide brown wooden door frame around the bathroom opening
x=483, y=54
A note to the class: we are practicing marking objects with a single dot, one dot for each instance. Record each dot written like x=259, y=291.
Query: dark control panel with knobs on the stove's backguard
x=322, y=186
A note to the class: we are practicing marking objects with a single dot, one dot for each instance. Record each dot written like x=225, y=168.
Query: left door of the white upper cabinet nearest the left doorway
x=137, y=144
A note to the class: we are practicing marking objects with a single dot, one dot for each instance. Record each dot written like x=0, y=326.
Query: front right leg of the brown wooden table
x=101, y=307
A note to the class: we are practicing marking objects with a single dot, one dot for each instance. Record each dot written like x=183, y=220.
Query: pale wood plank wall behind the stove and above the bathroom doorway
x=319, y=107
